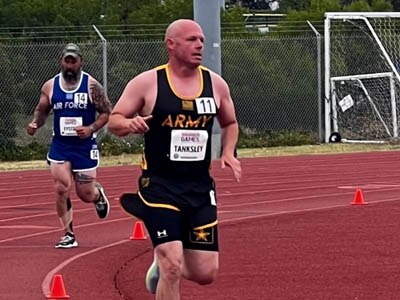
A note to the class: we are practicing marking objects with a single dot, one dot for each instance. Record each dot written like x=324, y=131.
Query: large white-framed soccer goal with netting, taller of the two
x=362, y=82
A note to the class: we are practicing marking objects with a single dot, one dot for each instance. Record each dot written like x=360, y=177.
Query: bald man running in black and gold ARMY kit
x=174, y=106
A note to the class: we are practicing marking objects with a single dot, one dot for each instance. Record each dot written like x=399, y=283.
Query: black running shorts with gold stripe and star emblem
x=171, y=211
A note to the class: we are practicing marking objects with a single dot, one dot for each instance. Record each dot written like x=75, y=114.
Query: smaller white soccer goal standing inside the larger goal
x=364, y=107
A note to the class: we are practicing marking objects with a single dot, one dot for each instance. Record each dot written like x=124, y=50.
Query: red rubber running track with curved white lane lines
x=287, y=231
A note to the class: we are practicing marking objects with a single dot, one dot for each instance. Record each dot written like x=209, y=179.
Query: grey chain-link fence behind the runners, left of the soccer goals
x=273, y=81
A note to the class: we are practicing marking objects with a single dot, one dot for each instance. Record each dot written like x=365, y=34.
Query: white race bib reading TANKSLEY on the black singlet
x=188, y=145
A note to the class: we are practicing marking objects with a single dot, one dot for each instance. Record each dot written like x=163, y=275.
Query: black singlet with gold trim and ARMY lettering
x=178, y=144
